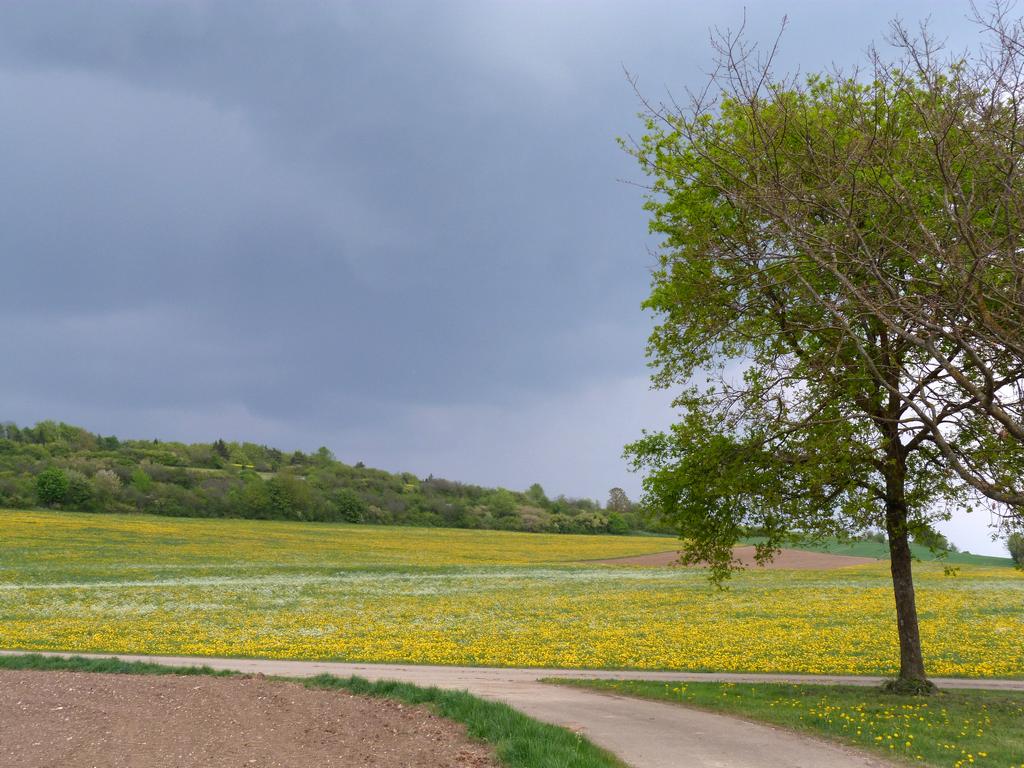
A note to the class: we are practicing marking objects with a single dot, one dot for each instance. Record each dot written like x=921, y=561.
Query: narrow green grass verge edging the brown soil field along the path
x=519, y=742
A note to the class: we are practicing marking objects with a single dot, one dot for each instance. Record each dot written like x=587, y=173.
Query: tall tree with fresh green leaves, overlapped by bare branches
x=840, y=302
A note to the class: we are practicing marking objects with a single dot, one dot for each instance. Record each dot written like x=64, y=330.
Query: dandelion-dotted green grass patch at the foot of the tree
x=952, y=730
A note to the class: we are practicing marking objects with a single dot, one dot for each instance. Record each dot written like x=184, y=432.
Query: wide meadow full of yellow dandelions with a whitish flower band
x=148, y=585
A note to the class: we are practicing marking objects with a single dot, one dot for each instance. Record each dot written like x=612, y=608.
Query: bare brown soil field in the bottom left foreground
x=91, y=720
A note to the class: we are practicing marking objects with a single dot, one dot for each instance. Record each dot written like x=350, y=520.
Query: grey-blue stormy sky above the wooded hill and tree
x=400, y=230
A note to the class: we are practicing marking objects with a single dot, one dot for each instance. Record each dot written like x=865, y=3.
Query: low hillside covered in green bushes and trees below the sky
x=63, y=466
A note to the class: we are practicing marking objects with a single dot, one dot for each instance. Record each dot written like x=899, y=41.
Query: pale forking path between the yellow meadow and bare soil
x=646, y=735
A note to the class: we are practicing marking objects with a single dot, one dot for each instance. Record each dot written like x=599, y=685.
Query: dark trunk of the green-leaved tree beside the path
x=912, y=660
